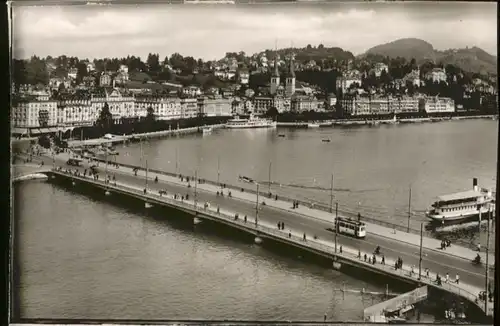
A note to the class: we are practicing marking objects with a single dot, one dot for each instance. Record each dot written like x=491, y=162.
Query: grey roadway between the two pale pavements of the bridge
x=436, y=261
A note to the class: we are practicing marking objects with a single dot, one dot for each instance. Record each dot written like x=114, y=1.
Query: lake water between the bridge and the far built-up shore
x=374, y=167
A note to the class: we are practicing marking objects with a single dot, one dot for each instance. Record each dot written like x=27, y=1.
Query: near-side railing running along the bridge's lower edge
x=289, y=237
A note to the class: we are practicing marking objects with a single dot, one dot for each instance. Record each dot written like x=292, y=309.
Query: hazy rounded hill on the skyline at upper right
x=469, y=59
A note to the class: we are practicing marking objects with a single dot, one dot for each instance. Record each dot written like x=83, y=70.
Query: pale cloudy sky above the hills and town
x=208, y=32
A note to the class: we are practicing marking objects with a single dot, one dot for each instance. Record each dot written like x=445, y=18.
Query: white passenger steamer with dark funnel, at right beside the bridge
x=463, y=206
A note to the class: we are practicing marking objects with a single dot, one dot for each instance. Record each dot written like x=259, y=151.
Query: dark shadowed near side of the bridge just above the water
x=271, y=238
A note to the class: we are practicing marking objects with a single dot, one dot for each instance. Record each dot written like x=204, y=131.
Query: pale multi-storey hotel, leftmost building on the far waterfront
x=29, y=112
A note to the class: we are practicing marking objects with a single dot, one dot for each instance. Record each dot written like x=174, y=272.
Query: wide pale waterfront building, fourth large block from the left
x=164, y=108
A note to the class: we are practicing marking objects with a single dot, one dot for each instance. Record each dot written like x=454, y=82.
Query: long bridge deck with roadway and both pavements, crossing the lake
x=132, y=181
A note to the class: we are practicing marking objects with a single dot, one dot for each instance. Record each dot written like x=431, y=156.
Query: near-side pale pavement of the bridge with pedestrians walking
x=290, y=235
